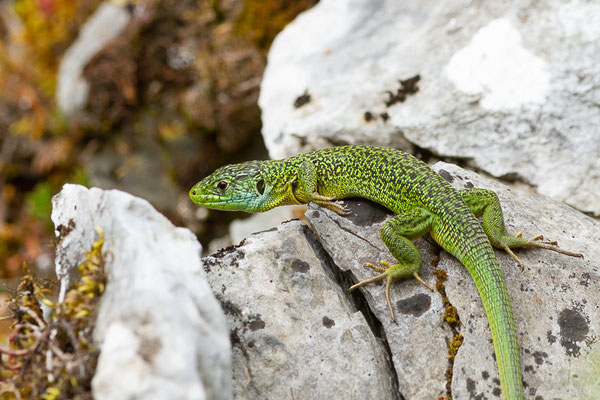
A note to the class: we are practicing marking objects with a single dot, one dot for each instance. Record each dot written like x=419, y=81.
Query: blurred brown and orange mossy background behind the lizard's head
x=148, y=97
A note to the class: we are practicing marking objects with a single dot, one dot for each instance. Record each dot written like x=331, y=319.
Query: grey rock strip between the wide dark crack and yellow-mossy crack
x=418, y=341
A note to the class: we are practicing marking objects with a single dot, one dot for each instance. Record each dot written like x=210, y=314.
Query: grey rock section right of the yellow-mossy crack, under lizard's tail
x=555, y=303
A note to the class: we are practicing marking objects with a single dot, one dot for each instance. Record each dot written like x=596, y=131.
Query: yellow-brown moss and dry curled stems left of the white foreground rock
x=55, y=359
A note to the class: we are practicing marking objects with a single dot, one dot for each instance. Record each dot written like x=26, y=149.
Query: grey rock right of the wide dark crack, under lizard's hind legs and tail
x=555, y=300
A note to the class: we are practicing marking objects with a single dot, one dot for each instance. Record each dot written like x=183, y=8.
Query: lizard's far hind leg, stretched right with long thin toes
x=485, y=202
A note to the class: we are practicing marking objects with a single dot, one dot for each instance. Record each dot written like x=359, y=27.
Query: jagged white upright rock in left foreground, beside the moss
x=161, y=332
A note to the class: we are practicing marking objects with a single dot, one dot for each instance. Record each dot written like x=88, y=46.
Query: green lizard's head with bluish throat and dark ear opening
x=238, y=187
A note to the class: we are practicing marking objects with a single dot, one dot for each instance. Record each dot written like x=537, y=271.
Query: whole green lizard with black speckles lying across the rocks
x=423, y=202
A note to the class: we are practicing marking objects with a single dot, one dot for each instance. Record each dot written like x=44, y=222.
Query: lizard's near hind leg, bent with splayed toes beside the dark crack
x=397, y=234
